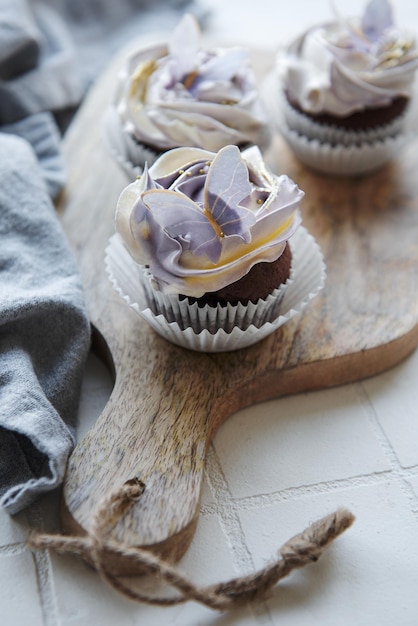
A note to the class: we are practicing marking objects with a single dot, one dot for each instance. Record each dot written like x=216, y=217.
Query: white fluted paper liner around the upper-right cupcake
x=336, y=151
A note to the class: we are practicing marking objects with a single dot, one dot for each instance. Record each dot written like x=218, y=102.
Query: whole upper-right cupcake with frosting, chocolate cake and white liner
x=343, y=90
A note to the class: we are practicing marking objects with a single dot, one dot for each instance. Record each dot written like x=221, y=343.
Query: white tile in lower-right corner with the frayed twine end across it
x=357, y=566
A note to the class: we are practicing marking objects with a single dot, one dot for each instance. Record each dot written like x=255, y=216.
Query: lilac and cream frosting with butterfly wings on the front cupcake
x=201, y=220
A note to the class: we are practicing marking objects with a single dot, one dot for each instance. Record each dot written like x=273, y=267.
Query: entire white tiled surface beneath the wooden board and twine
x=272, y=469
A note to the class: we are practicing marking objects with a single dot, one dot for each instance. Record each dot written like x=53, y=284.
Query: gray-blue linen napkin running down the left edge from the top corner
x=44, y=330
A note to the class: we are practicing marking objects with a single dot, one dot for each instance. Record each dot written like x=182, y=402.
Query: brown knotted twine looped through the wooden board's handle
x=97, y=545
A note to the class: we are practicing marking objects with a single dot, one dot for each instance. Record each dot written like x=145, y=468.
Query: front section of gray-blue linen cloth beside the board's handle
x=44, y=332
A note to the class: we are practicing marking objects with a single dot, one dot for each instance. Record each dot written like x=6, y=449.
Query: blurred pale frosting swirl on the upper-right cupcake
x=347, y=65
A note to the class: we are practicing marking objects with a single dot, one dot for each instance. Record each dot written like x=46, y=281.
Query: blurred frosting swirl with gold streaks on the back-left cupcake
x=180, y=94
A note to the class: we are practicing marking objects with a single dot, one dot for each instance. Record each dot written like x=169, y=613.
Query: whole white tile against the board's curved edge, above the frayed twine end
x=272, y=453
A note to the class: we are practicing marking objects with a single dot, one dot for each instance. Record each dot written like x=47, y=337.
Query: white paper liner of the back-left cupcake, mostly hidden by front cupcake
x=130, y=155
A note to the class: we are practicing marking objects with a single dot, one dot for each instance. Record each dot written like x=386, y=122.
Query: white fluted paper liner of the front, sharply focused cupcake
x=307, y=279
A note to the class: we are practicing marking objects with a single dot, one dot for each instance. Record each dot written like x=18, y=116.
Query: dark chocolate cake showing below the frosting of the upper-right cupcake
x=360, y=120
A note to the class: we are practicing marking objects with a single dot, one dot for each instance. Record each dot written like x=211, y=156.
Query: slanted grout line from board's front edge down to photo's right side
x=389, y=452
